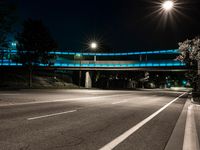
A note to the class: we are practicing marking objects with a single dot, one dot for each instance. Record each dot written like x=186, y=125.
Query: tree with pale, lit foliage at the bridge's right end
x=190, y=54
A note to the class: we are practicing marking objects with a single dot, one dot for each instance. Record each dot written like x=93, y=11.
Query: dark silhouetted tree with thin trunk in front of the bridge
x=34, y=45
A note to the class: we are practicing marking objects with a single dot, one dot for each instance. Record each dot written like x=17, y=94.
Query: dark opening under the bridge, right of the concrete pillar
x=138, y=79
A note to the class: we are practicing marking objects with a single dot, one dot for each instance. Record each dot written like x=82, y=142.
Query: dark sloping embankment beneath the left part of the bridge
x=40, y=79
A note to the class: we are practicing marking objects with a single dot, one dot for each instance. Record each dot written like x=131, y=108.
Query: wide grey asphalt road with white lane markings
x=88, y=119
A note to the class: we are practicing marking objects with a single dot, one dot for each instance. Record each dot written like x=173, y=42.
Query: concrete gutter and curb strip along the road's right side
x=186, y=134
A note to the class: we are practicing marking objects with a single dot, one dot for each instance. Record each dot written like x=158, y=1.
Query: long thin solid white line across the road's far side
x=63, y=100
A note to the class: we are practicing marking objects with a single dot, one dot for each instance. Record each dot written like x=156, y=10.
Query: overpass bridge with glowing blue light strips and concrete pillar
x=158, y=60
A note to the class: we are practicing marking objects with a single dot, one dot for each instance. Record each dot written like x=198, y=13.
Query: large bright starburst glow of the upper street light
x=166, y=13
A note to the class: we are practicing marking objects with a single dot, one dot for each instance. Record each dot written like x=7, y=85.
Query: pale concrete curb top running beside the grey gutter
x=191, y=141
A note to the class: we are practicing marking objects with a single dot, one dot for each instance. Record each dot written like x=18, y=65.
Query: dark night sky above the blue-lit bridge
x=124, y=25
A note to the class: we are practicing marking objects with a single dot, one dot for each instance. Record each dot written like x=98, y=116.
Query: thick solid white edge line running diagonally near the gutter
x=129, y=132
